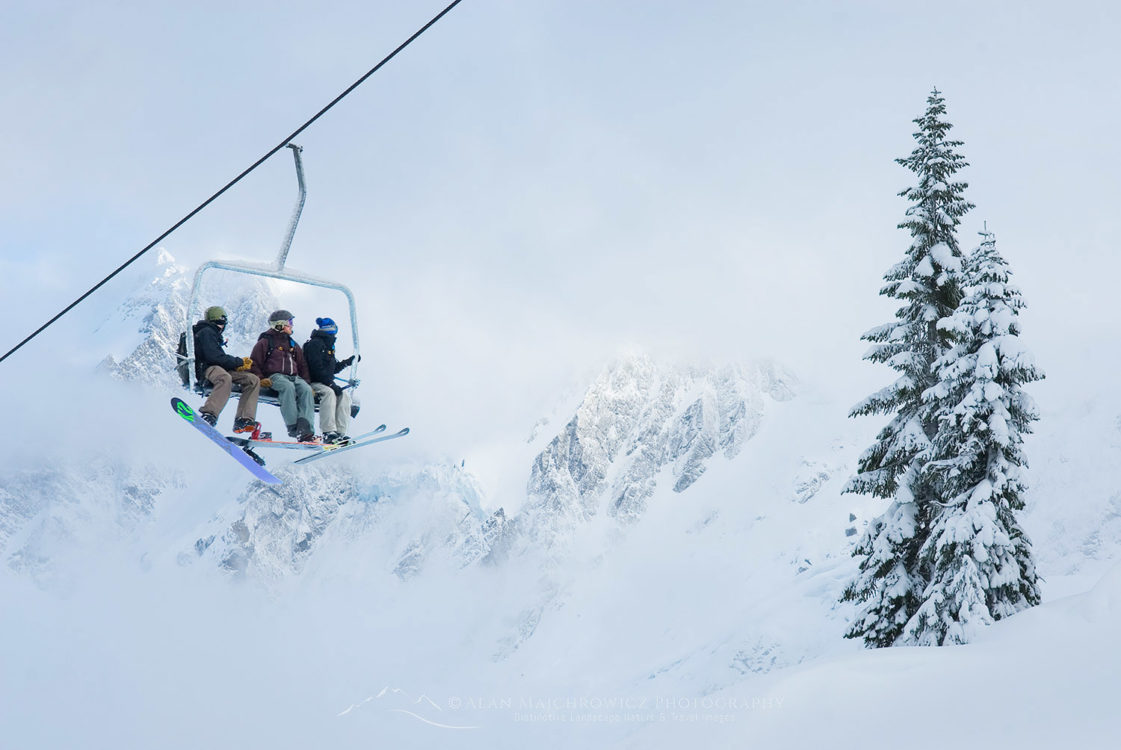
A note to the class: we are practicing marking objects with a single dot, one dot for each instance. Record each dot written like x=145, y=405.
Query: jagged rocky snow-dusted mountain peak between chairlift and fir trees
x=638, y=421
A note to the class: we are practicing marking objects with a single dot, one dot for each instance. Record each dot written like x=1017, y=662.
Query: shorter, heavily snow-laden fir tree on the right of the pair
x=977, y=559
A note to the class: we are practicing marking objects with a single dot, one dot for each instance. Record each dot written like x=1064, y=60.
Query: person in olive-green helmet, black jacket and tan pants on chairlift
x=223, y=371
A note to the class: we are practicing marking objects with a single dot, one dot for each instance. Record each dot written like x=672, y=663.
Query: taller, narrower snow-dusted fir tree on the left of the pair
x=928, y=283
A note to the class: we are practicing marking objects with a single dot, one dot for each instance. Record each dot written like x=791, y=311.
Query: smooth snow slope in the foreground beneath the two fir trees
x=1045, y=679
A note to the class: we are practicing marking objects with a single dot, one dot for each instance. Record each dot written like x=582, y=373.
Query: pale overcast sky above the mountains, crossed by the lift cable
x=535, y=187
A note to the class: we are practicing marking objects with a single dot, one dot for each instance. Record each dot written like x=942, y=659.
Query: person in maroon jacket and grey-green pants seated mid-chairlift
x=280, y=363
